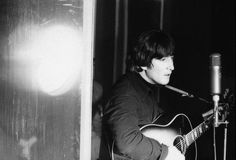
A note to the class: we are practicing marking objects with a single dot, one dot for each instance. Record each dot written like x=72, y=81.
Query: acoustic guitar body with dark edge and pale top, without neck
x=171, y=130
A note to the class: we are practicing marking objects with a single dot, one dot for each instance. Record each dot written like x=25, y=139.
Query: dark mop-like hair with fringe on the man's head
x=151, y=44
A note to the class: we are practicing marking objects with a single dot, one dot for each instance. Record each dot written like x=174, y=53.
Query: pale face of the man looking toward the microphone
x=160, y=70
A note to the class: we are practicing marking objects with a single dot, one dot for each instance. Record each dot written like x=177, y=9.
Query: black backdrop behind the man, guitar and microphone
x=200, y=28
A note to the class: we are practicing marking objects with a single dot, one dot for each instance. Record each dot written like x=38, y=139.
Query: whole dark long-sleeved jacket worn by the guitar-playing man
x=133, y=103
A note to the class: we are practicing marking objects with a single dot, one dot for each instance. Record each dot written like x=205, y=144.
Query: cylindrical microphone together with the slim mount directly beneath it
x=215, y=73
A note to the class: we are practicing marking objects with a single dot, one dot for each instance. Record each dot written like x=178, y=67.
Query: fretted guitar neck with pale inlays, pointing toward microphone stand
x=193, y=135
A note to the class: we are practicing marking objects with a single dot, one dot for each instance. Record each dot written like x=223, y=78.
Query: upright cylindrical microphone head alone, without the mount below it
x=215, y=71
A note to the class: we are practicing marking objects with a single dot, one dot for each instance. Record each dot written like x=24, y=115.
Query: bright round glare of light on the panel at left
x=54, y=56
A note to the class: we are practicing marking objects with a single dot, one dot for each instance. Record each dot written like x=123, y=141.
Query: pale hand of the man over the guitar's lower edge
x=174, y=154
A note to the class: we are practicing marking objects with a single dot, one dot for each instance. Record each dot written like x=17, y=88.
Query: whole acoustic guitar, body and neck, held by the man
x=176, y=131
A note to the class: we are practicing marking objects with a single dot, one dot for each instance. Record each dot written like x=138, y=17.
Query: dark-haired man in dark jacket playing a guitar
x=134, y=102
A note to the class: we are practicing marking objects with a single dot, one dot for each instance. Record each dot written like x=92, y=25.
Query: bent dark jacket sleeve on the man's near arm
x=122, y=119
